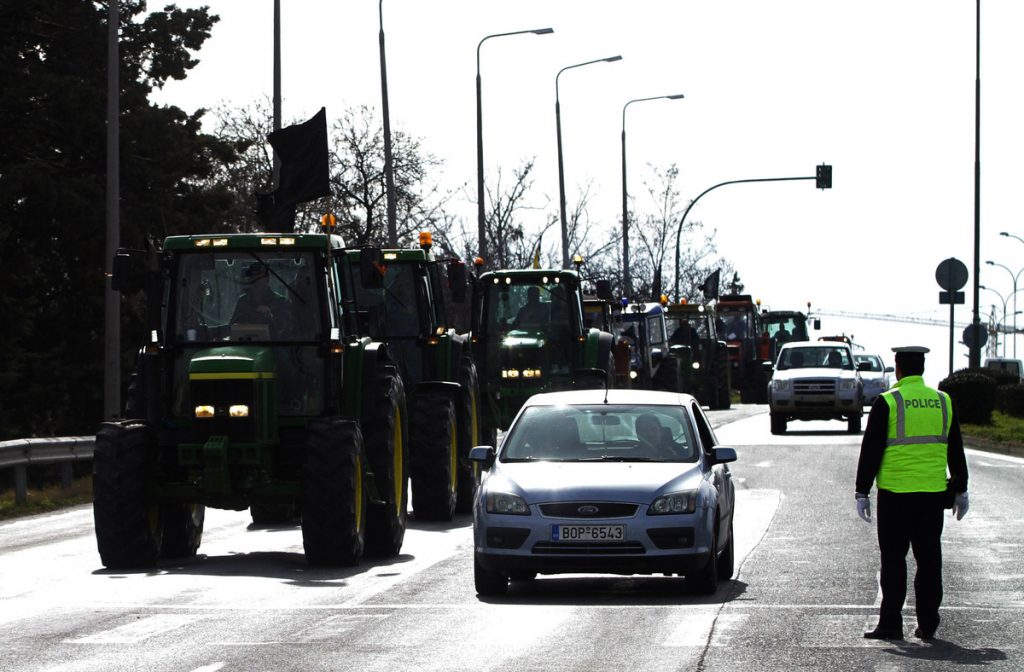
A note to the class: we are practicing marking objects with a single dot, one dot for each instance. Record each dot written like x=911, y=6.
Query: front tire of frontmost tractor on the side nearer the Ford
x=334, y=499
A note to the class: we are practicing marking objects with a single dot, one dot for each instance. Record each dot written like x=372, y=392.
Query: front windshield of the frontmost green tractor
x=246, y=297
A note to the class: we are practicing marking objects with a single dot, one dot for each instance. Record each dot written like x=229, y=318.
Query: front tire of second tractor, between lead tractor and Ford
x=435, y=454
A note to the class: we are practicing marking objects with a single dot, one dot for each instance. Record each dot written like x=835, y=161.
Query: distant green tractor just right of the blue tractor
x=704, y=358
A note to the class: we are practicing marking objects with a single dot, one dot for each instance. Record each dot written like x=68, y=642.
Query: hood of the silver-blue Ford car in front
x=565, y=482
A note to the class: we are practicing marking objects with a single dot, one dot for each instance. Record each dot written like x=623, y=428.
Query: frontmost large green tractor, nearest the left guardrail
x=252, y=392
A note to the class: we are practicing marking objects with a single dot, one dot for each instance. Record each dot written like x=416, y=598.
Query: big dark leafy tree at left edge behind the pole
x=53, y=185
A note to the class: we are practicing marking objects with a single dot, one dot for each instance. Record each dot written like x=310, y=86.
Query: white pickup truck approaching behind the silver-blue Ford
x=817, y=381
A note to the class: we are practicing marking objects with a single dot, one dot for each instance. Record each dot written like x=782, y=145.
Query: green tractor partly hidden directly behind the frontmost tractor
x=406, y=306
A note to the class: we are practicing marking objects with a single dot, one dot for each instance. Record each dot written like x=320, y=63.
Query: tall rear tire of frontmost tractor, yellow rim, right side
x=387, y=434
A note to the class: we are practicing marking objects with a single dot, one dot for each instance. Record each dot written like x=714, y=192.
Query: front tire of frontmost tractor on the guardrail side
x=129, y=526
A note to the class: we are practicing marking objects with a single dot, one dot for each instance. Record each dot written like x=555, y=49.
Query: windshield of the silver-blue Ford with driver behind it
x=602, y=434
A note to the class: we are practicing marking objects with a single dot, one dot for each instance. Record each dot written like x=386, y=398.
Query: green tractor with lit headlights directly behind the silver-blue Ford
x=529, y=338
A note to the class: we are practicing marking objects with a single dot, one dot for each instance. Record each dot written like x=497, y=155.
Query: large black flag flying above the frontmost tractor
x=305, y=172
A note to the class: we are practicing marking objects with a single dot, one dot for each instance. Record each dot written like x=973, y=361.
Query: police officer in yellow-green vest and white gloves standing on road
x=912, y=437
